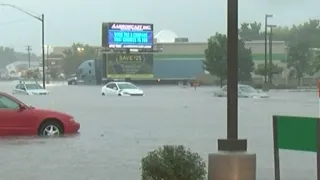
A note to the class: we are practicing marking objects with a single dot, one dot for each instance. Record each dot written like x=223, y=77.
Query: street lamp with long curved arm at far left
x=41, y=19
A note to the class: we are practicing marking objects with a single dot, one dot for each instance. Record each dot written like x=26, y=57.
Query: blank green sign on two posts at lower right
x=295, y=133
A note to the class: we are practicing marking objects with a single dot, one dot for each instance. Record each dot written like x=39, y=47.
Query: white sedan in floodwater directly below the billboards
x=121, y=89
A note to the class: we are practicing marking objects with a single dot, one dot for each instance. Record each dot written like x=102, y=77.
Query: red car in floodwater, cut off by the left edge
x=18, y=119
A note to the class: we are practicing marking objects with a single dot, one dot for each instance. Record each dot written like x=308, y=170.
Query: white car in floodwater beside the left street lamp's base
x=32, y=88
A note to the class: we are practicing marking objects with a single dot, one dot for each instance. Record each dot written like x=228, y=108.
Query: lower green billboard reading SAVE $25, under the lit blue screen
x=136, y=66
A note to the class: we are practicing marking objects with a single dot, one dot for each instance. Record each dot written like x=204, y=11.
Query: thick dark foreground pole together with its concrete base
x=232, y=157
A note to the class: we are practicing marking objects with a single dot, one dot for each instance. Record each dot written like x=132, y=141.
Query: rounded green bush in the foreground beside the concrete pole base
x=173, y=163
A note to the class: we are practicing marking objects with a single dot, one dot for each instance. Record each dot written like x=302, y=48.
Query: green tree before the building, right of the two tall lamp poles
x=298, y=59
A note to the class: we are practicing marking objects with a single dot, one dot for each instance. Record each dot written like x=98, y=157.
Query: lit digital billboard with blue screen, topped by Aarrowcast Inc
x=128, y=35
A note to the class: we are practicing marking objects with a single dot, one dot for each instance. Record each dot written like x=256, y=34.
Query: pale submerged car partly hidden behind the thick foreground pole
x=244, y=91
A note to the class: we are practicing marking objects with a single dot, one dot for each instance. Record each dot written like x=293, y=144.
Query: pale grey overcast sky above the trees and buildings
x=69, y=21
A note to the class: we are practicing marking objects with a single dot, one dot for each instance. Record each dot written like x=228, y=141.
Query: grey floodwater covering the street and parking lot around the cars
x=116, y=132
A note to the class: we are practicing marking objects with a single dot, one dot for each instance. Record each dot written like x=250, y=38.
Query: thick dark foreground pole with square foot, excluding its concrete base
x=232, y=143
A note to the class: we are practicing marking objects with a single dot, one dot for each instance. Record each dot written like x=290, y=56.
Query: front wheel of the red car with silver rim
x=50, y=129
